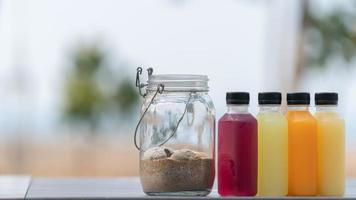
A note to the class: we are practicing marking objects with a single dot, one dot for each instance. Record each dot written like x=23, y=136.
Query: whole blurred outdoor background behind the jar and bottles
x=68, y=105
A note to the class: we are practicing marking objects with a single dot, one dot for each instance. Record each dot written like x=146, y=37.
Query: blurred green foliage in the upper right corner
x=330, y=35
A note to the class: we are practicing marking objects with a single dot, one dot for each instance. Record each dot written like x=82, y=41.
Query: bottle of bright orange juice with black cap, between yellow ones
x=302, y=146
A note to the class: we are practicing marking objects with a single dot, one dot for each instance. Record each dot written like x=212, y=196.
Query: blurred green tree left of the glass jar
x=93, y=91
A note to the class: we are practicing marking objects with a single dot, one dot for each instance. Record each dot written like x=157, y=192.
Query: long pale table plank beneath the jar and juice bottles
x=122, y=188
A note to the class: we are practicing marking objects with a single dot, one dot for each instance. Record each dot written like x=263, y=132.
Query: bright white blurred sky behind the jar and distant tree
x=224, y=40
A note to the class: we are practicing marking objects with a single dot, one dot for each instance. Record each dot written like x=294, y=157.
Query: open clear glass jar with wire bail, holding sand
x=177, y=136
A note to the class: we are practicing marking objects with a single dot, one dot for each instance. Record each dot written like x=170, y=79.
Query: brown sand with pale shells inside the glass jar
x=180, y=170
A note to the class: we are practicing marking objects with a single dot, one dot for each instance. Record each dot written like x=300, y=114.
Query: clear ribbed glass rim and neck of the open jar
x=179, y=82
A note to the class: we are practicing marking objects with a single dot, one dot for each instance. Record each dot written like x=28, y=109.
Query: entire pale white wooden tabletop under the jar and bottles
x=25, y=187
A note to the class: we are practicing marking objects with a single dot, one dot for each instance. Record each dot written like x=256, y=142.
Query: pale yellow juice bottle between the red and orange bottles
x=272, y=146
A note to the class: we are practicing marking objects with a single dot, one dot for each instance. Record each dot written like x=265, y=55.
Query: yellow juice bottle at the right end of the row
x=331, y=145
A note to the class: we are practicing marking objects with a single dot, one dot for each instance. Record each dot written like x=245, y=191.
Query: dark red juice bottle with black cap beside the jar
x=237, y=148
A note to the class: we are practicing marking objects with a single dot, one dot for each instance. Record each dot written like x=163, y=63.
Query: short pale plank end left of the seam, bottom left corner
x=14, y=187
